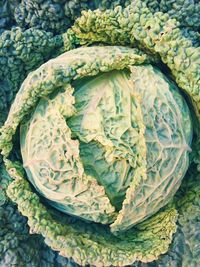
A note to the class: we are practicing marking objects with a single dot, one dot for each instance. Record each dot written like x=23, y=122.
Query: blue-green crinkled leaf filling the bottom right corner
x=184, y=250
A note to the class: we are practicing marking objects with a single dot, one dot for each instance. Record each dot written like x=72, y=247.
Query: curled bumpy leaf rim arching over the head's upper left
x=61, y=71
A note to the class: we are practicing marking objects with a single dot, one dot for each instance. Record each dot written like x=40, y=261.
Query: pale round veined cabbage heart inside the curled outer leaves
x=79, y=148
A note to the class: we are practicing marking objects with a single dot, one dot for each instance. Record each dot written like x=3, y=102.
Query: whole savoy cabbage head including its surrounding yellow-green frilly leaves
x=106, y=137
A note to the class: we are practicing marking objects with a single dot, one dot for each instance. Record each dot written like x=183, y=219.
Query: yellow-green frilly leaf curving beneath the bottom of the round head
x=93, y=244
